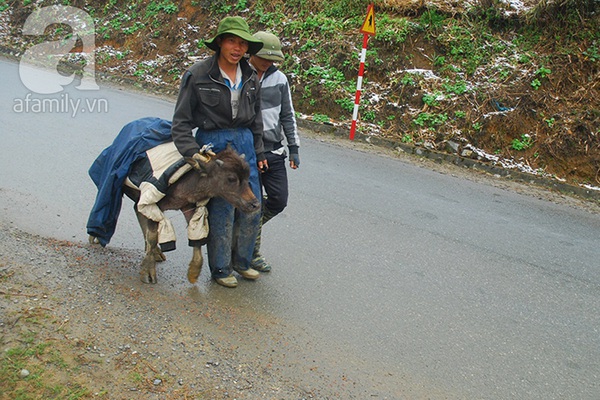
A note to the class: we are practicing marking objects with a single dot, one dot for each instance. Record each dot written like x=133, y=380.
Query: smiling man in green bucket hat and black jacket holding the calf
x=220, y=97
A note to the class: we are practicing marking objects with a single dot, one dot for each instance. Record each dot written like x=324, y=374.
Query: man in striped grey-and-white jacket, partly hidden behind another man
x=279, y=123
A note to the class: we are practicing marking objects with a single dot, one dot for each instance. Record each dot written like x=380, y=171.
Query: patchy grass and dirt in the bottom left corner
x=42, y=356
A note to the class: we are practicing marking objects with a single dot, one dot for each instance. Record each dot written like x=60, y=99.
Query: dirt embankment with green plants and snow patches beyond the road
x=499, y=83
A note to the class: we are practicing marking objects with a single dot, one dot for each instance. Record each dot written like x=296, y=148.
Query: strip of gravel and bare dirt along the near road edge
x=116, y=338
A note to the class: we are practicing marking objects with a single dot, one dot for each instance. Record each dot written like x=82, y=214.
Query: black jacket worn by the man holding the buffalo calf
x=204, y=102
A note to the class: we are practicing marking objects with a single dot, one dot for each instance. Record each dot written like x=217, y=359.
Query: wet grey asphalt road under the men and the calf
x=405, y=282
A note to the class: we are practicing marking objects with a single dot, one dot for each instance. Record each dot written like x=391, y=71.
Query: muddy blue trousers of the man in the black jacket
x=232, y=233
